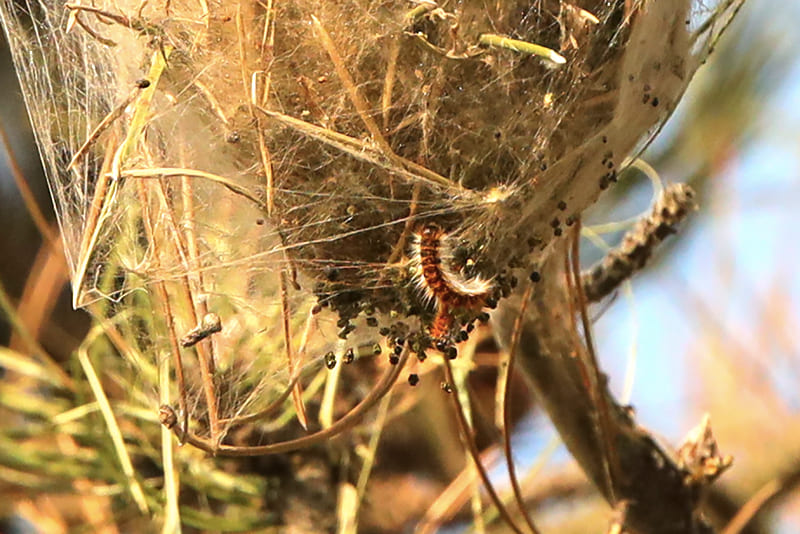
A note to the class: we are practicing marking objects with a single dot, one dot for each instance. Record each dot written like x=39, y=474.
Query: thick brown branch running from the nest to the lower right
x=661, y=501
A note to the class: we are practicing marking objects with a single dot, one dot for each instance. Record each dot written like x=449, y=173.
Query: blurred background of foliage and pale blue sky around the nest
x=711, y=327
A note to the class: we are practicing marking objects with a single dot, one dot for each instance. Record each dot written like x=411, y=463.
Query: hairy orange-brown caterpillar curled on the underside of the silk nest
x=449, y=290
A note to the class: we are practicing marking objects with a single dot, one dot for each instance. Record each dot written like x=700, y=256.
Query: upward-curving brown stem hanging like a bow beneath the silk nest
x=347, y=422
